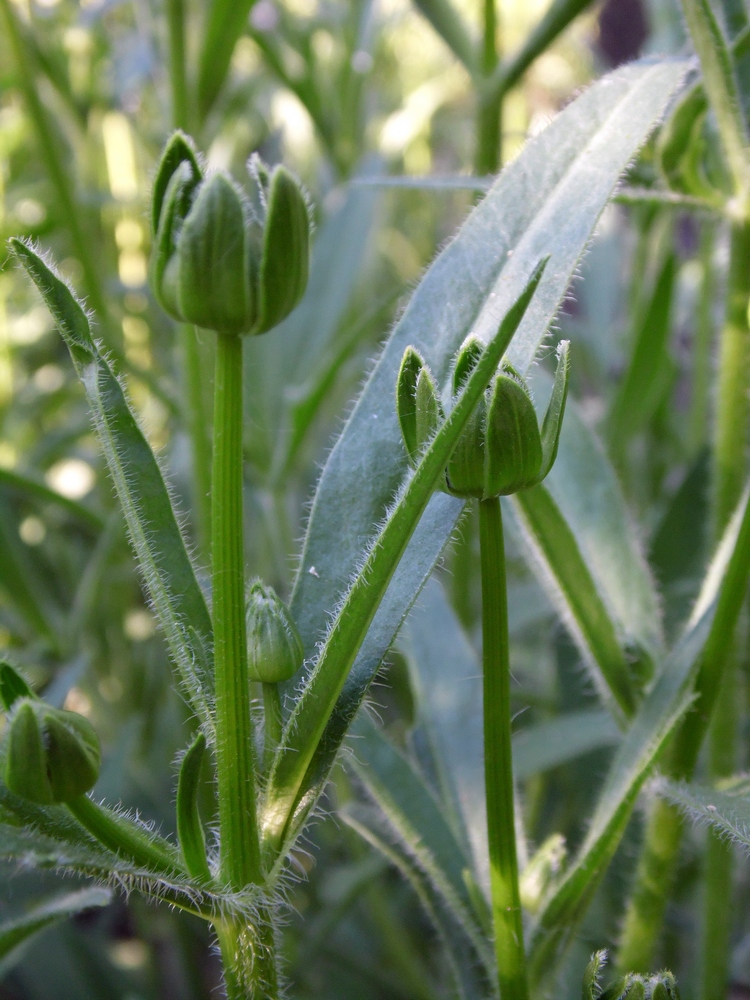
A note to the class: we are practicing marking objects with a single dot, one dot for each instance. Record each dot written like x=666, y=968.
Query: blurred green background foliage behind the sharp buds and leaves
x=344, y=91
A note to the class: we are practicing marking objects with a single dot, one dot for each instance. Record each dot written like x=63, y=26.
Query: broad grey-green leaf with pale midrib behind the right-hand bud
x=547, y=201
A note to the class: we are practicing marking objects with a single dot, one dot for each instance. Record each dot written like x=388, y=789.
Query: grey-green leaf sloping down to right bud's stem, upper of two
x=416, y=819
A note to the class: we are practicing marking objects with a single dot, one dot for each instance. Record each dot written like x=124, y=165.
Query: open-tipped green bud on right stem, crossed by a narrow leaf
x=502, y=449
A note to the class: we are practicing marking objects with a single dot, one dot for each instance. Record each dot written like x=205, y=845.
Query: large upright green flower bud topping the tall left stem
x=216, y=262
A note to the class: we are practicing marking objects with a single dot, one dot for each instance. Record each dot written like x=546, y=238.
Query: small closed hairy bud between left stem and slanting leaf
x=274, y=648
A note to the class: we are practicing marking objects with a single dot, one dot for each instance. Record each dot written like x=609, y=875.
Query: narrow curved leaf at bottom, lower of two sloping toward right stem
x=462, y=960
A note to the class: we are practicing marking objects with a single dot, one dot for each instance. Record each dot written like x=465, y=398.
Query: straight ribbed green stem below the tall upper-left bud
x=235, y=765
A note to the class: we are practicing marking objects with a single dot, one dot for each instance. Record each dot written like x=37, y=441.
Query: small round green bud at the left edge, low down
x=51, y=755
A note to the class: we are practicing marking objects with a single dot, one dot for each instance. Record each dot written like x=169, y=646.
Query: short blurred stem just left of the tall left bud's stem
x=197, y=422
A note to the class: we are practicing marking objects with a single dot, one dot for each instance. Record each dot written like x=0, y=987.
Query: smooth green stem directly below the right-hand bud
x=498, y=764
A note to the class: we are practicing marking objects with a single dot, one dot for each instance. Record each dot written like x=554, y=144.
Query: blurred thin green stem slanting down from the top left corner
x=54, y=161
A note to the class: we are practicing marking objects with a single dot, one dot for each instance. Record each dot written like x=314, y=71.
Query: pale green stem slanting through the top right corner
x=721, y=86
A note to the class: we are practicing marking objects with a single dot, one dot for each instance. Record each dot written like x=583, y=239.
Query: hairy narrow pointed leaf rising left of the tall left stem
x=154, y=532
